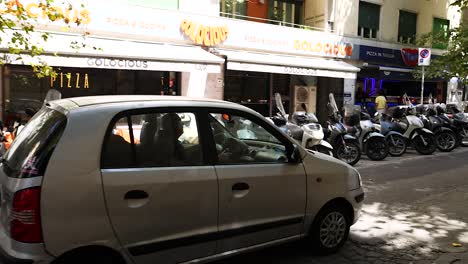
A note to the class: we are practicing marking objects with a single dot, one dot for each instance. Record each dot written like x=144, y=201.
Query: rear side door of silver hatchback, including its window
x=162, y=198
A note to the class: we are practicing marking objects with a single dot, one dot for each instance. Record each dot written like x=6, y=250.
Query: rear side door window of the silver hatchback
x=166, y=139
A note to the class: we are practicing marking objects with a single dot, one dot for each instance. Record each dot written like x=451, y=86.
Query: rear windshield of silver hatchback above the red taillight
x=30, y=152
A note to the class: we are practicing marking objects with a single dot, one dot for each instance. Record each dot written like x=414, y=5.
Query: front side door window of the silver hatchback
x=240, y=140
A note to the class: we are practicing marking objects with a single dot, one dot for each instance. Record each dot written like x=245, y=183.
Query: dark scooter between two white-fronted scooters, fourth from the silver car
x=395, y=140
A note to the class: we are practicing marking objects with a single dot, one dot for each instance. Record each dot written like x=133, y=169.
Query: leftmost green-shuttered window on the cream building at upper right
x=369, y=20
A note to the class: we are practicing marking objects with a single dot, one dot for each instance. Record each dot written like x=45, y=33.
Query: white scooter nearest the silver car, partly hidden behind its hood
x=304, y=127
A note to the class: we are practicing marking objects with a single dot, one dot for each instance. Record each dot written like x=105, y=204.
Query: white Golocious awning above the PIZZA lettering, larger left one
x=123, y=54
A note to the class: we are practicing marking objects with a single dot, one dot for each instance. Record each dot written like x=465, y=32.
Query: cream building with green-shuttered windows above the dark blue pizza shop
x=386, y=32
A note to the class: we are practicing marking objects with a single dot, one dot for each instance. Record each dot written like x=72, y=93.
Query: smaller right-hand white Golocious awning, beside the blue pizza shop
x=284, y=64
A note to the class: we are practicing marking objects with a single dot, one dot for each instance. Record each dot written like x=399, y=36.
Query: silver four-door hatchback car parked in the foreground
x=152, y=179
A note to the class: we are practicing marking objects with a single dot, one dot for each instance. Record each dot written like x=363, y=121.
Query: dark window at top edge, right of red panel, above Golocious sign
x=285, y=12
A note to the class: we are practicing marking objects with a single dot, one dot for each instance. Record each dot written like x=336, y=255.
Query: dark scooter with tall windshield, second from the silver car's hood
x=345, y=145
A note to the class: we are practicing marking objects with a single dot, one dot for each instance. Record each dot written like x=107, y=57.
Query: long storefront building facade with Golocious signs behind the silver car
x=234, y=50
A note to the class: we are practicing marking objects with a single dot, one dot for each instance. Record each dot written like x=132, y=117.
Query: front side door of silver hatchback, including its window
x=262, y=192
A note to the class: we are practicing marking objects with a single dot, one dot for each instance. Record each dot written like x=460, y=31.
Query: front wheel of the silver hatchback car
x=330, y=230
